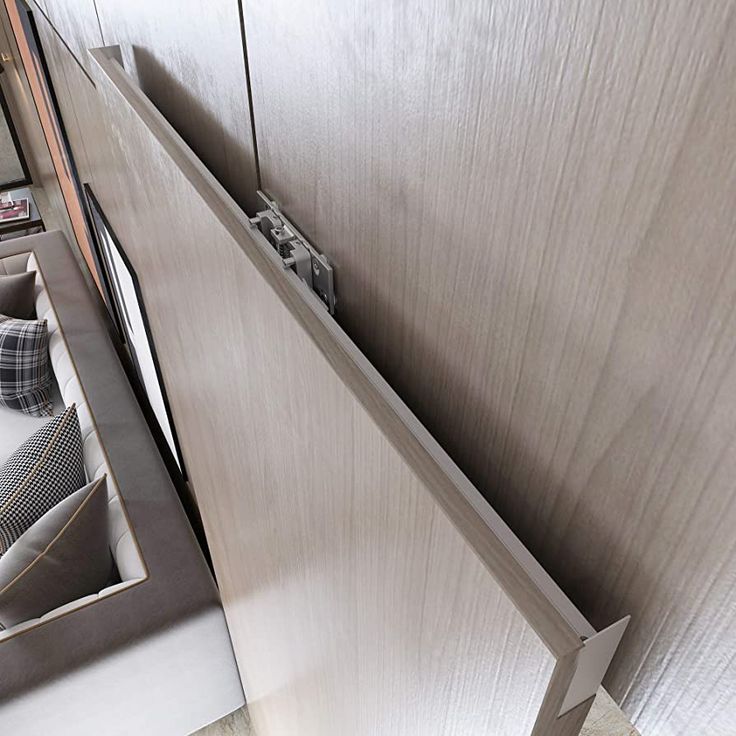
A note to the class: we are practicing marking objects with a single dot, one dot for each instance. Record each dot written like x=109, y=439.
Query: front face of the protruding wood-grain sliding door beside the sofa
x=355, y=606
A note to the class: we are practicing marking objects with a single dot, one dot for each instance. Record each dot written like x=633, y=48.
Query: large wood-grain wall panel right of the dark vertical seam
x=530, y=206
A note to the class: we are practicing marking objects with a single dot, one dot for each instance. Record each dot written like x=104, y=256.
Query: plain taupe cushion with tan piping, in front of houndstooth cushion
x=64, y=556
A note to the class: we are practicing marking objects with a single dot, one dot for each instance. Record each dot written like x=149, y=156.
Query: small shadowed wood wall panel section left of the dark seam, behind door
x=188, y=58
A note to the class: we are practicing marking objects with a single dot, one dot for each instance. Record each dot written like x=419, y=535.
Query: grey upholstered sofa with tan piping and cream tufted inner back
x=150, y=654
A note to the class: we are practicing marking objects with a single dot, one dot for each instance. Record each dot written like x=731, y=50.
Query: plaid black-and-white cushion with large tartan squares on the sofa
x=25, y=377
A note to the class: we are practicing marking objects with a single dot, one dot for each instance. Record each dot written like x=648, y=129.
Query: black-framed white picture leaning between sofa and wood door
x=122, y=295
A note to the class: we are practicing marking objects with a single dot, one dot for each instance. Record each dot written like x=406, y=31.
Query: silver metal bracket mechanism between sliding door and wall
x=296, y=252
